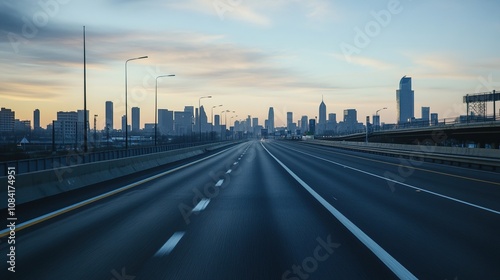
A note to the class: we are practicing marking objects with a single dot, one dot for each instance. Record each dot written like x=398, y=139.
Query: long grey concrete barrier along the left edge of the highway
x=36, y=185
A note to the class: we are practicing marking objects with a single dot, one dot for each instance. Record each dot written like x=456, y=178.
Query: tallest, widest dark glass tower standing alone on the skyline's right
x=405, y=101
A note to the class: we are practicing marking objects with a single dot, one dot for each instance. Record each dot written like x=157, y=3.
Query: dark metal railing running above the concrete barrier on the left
x=75, y=158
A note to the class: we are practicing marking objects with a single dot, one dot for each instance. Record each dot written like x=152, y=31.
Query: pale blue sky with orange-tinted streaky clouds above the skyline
x=248, y=55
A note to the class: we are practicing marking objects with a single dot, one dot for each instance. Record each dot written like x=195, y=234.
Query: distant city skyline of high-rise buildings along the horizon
x=197, y=122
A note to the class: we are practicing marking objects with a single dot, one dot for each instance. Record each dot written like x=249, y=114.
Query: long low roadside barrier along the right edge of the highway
x=471, y=161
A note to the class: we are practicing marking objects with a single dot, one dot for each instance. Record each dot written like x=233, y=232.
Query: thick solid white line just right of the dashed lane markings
x=397, y=268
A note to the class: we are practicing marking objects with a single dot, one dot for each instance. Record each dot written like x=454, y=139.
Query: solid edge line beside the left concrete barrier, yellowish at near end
x=56, y=213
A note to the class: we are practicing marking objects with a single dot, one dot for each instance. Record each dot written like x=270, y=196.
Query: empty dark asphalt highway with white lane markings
x=269, y=210
